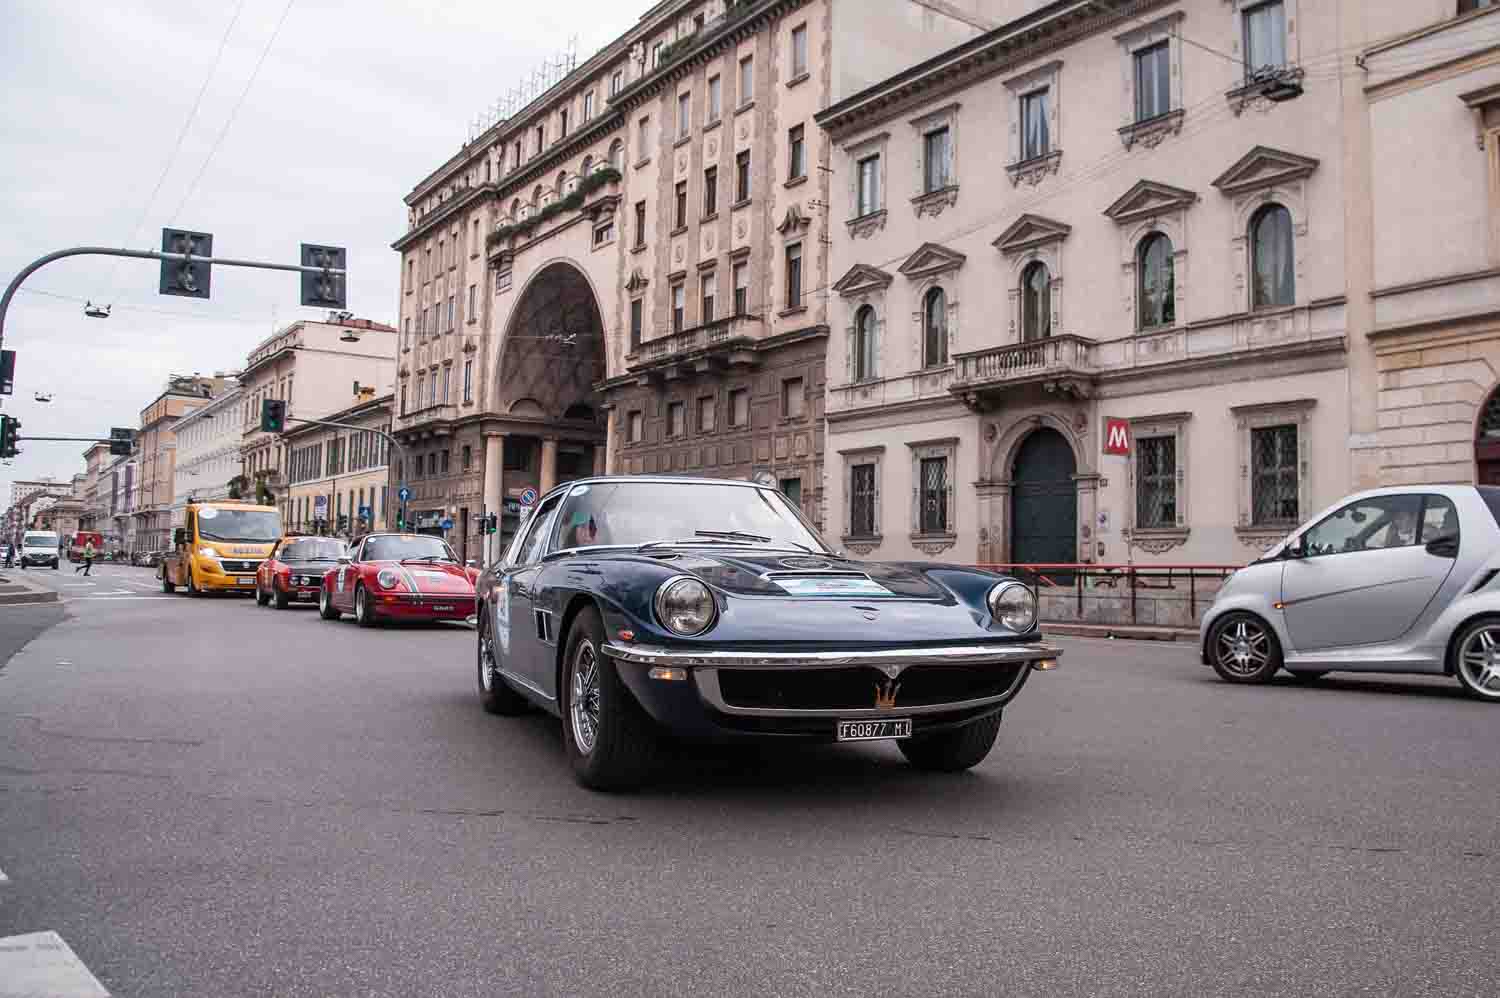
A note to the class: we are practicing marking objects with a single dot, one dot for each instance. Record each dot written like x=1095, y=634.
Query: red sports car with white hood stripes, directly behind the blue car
x=398, y=577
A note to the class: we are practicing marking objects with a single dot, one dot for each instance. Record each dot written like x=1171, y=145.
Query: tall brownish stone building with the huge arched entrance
x=631, y=274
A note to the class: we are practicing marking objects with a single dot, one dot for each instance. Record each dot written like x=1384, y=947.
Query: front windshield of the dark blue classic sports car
x=644, y=513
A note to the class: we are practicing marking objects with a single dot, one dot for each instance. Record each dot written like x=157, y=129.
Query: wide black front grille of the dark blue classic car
x=854, y=688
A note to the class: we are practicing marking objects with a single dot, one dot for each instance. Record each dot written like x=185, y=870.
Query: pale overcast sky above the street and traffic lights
x=353, y=106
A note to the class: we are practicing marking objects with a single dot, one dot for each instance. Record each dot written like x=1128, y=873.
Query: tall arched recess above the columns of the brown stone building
x=554, y=347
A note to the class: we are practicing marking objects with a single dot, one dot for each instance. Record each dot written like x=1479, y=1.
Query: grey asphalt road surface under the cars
x=205, y=798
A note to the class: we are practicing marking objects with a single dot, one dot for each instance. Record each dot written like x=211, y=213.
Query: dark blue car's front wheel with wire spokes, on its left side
x=608, y=739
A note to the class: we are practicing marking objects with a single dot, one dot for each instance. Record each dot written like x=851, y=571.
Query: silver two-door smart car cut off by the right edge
x=1399, y=580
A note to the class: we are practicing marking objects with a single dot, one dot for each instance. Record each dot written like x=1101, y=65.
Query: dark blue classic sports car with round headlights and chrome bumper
x=638, y=607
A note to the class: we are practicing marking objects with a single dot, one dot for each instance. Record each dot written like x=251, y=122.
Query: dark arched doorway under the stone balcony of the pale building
x=1045, y=501
